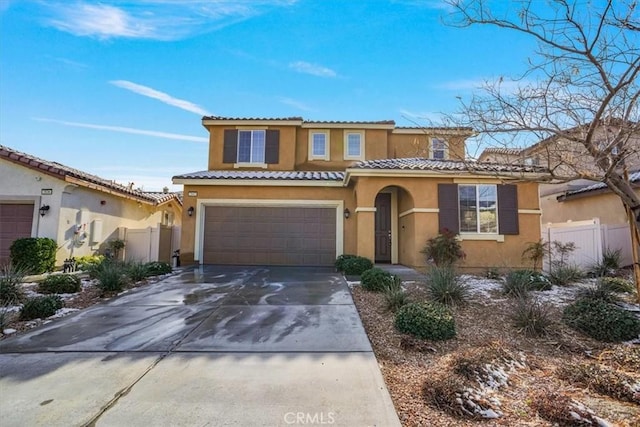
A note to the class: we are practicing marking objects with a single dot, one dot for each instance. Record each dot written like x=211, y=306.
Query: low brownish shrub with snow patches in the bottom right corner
x=602, y=380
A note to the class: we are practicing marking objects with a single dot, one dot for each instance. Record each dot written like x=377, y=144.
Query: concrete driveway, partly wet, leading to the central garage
x=208, y=347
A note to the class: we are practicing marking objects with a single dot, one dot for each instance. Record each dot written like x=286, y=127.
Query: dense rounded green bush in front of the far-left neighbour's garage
x=34, y=255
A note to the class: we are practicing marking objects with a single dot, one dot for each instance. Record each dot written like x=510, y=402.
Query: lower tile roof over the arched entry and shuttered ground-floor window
x=422, y=164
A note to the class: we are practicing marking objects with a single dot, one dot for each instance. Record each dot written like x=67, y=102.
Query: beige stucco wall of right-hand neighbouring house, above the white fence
x=606, y=206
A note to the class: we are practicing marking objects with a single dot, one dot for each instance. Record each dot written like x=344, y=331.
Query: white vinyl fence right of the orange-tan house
x=591, y=239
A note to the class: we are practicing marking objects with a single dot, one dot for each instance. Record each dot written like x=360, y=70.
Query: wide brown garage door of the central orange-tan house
x=269, y=235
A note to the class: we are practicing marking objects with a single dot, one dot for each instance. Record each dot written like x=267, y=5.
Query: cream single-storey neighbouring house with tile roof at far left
x=82, y=212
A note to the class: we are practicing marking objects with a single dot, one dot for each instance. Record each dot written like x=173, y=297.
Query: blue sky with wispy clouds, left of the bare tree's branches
x=118, y=88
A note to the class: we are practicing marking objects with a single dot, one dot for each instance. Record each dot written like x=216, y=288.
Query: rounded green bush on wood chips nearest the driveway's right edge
x=426, y=320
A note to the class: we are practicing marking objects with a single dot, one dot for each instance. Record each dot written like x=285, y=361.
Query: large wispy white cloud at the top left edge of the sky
x=152, y=19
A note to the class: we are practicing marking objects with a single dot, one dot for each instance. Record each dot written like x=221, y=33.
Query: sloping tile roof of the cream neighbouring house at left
x=63, y=172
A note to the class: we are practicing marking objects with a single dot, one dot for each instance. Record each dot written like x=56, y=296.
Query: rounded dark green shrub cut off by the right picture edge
x=601, y=320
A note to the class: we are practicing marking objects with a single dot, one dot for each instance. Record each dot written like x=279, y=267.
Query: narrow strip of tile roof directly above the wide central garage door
x=269, y=175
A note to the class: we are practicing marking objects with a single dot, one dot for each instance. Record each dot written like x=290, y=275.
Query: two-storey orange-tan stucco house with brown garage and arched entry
x=295, y=192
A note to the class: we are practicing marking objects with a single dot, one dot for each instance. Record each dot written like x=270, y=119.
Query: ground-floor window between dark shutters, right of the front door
x=478, y=208
